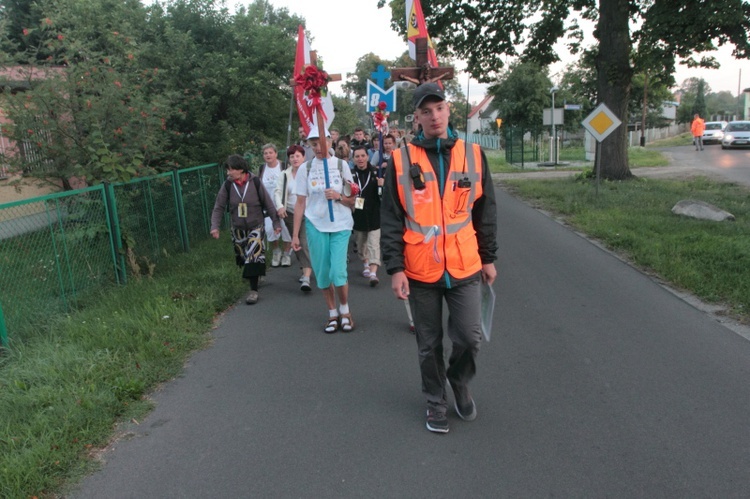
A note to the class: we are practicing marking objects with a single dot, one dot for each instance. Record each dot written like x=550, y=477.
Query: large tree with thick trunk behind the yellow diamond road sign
x=682, y=30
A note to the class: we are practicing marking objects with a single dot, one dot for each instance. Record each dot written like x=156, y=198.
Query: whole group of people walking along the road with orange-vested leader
x=430, y=213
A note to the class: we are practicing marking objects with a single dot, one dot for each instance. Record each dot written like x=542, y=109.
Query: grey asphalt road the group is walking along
x=598, y=382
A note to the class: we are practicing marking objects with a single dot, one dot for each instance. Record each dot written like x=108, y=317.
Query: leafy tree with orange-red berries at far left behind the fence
x=87, y=112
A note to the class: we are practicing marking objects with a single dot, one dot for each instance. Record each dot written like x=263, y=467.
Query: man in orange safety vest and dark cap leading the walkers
x=438, y=241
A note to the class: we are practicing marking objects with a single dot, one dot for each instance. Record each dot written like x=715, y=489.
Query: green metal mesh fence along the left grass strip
x=58, y=251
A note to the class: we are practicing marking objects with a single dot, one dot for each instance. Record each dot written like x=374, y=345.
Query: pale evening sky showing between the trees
x=342, y=32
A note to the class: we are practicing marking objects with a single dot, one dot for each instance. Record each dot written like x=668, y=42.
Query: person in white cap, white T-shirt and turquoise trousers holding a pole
x=328, y=240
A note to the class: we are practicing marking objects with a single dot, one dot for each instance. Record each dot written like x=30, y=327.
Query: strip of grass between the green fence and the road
x=61, y=392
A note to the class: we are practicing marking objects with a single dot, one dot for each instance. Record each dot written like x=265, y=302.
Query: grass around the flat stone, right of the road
x=708, y=259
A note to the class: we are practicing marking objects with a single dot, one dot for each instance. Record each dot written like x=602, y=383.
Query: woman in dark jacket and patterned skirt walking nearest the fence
x=244, y=196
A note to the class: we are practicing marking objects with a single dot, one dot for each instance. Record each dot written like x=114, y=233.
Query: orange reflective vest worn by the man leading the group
x=439, y=235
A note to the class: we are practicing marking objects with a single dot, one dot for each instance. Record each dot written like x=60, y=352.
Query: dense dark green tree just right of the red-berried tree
x=231, y=73
